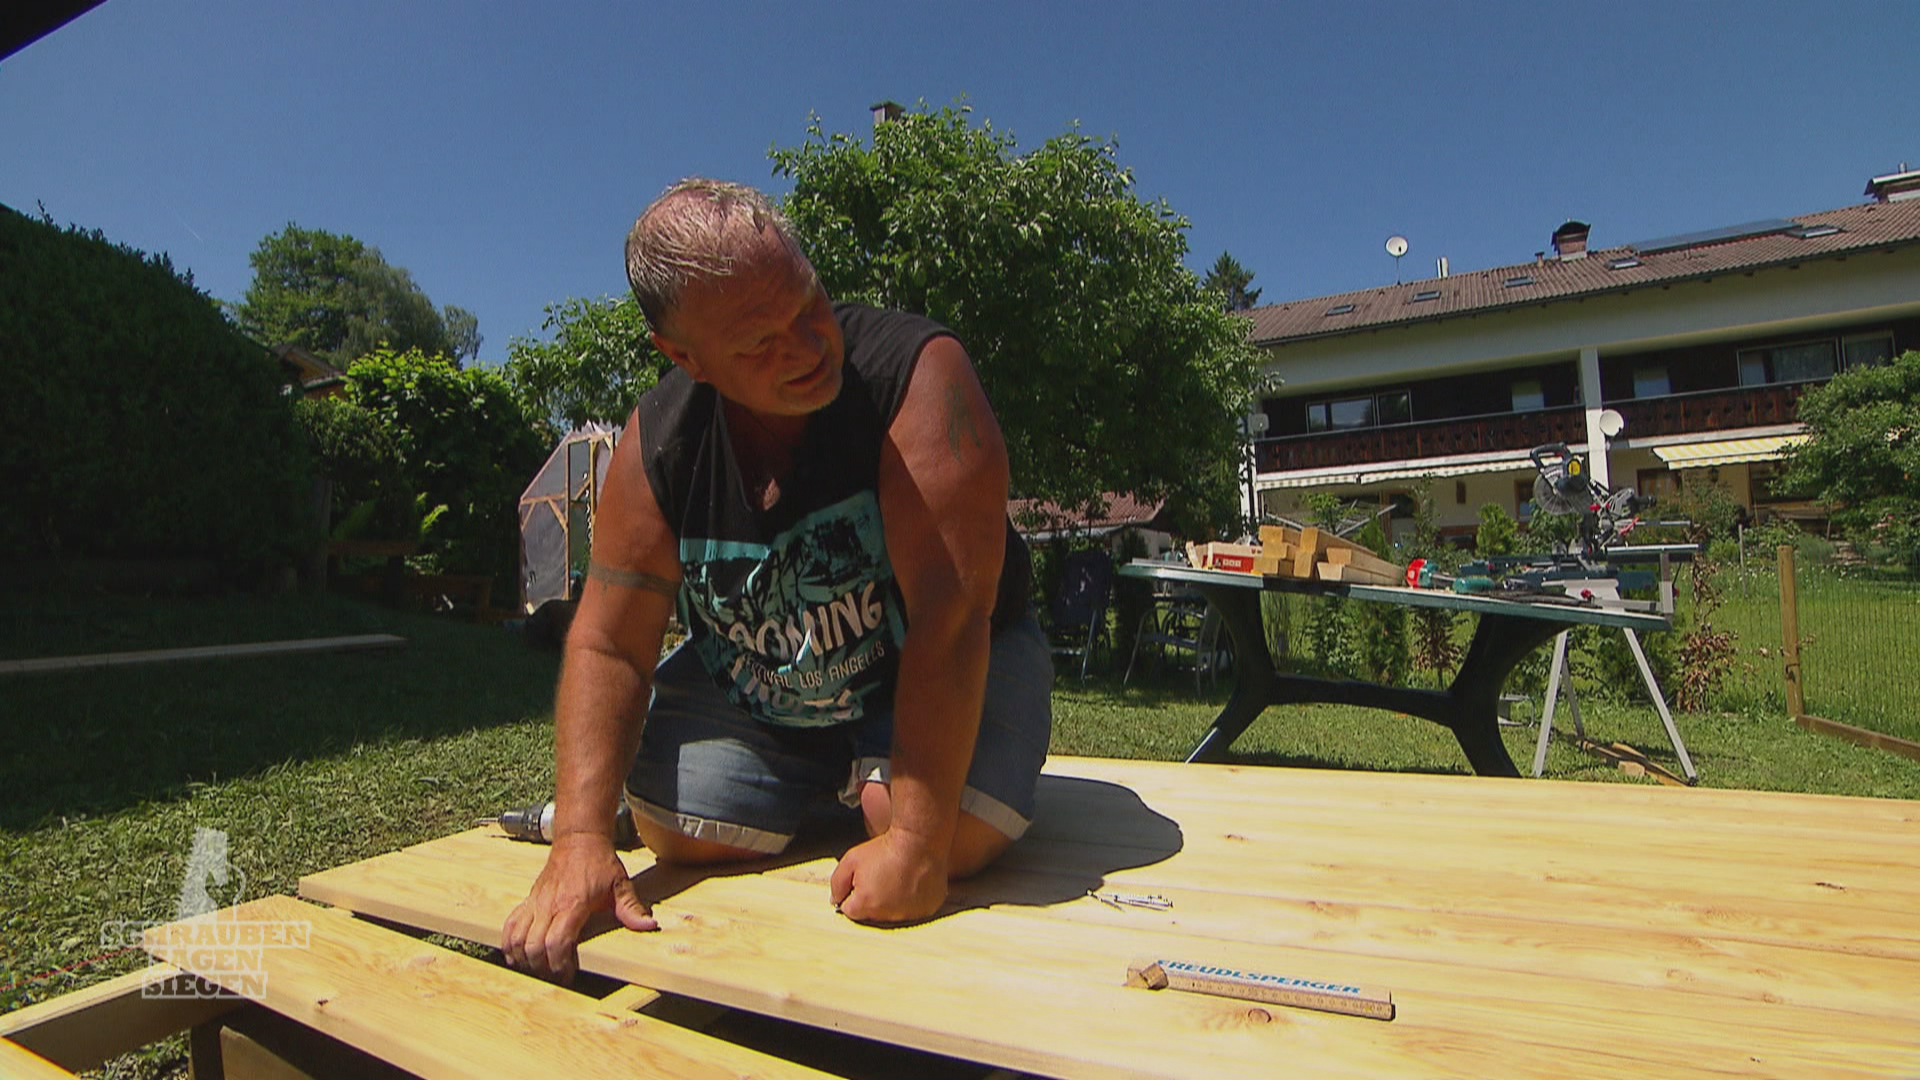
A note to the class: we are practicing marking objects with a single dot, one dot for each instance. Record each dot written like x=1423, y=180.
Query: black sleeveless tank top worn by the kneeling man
x=796, y=610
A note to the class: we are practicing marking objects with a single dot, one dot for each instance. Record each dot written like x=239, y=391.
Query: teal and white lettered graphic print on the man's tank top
x=804, y=631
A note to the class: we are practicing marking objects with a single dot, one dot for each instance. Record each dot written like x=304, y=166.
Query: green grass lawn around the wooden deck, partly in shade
x=322, y=760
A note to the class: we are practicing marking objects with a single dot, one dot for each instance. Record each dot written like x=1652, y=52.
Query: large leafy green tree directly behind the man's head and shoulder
x=1109, y=366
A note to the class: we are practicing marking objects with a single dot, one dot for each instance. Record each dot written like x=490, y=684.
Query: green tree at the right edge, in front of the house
x=1863, y=454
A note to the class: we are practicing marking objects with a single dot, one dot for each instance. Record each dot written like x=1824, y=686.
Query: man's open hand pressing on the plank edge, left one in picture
x=583, y=877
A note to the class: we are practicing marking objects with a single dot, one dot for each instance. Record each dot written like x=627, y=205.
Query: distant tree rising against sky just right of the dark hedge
x=341, y=301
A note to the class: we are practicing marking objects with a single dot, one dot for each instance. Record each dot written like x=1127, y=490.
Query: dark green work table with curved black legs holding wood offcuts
x=1470, y=706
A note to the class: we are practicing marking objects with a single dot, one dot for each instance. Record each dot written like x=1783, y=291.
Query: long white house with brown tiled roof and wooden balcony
x=1691, y=351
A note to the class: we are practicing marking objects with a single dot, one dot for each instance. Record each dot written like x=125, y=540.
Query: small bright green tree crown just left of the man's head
x=594, y=368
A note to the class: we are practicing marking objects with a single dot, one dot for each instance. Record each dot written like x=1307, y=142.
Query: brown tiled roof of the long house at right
x=1604, y=270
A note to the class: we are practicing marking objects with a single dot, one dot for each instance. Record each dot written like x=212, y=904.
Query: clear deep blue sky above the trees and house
x=500, y=151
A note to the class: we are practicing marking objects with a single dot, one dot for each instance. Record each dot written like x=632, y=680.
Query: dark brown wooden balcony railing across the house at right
x=1679, y=414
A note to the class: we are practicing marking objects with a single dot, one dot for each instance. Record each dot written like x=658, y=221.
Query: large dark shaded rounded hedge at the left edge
x=139, y=424
